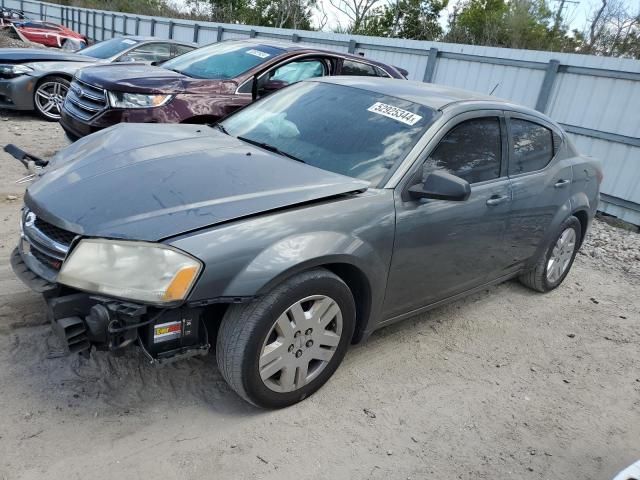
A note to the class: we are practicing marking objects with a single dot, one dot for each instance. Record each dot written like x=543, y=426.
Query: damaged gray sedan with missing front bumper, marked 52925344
x=300, y=225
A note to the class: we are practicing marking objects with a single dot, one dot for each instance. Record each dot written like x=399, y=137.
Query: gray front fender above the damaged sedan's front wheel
x=249, y=257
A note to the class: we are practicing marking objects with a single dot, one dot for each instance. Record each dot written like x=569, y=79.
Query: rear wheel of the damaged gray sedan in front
x=554, y=265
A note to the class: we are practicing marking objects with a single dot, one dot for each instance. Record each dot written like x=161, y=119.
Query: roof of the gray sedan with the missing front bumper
x=429, y=94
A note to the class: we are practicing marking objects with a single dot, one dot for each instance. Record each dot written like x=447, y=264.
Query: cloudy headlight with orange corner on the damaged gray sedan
x=147, y=272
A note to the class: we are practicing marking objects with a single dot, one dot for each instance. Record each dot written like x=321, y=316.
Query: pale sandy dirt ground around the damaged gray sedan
x=506, y=384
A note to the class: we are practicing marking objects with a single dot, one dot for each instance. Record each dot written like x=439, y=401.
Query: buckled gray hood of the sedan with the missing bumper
x=151, y=182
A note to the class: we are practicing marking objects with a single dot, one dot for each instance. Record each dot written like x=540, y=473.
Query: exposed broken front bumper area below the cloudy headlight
x=83, y=321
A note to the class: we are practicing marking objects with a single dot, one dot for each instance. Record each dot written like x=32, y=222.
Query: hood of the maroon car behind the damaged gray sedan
x=134, y=77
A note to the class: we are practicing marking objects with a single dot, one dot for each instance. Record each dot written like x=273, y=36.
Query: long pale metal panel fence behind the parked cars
x=596, y=99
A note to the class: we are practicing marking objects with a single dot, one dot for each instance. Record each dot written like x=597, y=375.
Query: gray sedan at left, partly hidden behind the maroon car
x=36, y=79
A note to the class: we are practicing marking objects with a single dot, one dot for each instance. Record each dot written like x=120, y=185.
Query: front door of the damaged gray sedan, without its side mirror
x=443, y=248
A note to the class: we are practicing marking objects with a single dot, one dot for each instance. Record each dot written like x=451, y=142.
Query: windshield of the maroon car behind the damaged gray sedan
x=223, y=60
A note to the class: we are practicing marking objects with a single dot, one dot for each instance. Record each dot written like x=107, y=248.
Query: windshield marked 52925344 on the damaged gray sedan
x=343, y=129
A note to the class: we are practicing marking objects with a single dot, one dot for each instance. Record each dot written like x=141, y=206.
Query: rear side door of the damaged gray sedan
x=541, y=183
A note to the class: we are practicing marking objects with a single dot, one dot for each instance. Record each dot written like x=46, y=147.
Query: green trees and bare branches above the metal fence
x=524, y=24
